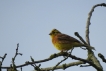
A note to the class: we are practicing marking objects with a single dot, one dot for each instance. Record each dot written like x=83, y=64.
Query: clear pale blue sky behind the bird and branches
x=29, y=23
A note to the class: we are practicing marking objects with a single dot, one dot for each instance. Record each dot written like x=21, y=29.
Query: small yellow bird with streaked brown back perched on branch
x=64, y=42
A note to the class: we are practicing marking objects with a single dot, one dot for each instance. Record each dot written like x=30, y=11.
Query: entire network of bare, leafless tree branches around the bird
x=91, y=60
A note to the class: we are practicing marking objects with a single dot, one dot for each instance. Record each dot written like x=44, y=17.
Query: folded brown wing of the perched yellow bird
x=63, y=38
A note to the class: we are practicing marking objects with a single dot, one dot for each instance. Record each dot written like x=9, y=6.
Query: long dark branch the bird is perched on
x=52, y=57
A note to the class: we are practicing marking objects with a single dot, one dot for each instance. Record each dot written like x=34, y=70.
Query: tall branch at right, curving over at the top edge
x=91, y=55
